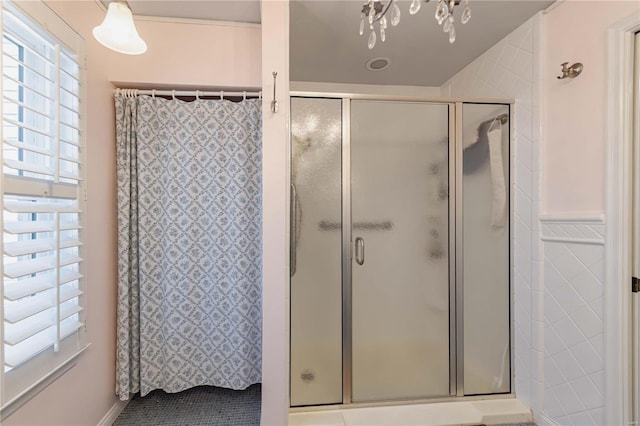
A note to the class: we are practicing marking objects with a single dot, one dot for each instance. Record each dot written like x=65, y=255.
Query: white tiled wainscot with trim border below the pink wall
x=573, y=322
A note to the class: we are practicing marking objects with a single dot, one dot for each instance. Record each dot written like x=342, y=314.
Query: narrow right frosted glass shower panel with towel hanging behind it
x=485, y=248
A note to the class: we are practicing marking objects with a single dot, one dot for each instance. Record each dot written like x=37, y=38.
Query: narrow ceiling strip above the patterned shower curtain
x=211, y=10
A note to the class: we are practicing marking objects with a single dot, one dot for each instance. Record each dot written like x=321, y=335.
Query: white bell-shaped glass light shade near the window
x=118, y=32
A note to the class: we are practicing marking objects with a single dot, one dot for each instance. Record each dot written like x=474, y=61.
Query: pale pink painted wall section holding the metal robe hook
x=574, y=110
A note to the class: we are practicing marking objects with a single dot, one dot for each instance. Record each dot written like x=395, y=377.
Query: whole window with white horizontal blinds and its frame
x=43, y=297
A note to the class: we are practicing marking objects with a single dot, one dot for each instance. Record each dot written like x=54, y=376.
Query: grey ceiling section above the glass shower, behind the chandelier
x=325, y=45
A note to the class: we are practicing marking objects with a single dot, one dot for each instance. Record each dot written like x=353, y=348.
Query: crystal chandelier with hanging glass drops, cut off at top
x=376, y=11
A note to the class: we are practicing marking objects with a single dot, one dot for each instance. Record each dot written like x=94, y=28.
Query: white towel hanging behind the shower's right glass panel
x=499, y=190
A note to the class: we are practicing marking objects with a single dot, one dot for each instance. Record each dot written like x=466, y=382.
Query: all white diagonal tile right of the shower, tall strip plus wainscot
x=558, y=292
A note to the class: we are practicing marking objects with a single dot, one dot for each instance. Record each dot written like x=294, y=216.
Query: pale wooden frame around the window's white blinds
x=40, y=370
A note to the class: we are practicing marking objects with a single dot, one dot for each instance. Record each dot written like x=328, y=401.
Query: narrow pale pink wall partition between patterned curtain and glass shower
x=275, y=222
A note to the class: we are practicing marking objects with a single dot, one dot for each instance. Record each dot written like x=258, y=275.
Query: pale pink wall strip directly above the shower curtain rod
x=192, y=55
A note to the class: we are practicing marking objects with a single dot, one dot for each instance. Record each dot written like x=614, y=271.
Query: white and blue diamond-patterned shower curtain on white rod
x=189, y=244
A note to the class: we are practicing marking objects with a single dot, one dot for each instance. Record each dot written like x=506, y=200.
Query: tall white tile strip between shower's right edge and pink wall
x=508, y=71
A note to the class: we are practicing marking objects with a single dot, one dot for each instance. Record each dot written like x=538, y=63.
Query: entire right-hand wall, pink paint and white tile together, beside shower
x=560, y=193
